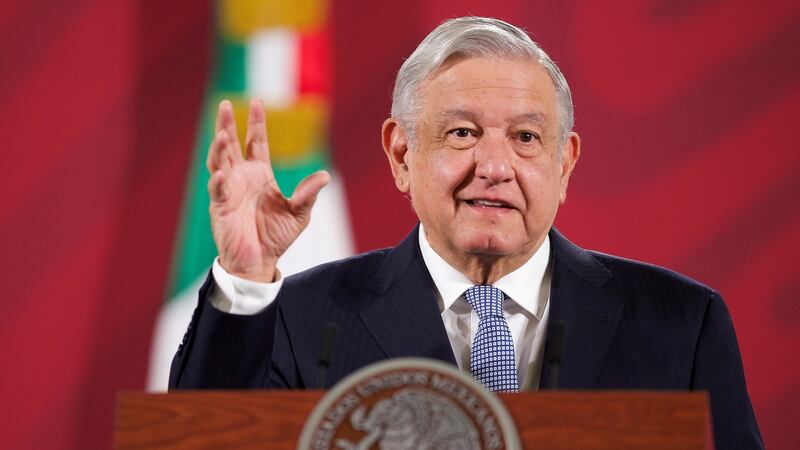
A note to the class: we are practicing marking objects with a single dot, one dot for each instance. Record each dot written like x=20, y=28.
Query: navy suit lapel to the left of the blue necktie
x=405, y=319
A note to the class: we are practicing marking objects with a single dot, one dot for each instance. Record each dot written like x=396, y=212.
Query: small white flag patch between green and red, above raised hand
x=272, y=63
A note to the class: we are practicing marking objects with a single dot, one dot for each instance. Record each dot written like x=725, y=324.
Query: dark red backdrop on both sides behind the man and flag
x=686, y=109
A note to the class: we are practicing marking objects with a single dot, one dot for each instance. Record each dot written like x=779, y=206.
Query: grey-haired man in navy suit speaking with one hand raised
x=481, y=141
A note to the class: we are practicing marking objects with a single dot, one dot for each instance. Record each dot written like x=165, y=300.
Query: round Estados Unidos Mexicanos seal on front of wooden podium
x=409, y=403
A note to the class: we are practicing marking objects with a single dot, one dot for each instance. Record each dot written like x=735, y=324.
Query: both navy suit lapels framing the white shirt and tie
x=405, y=320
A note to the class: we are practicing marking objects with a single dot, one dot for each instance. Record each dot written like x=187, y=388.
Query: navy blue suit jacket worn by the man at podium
x=628, y=326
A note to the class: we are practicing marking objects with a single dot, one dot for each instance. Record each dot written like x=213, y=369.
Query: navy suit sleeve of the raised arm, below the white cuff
x=225, y=351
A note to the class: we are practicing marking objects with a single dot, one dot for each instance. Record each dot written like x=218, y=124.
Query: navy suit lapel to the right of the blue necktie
x=580, y=298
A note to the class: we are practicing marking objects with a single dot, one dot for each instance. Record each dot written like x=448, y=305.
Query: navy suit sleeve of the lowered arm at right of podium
x=718, y=369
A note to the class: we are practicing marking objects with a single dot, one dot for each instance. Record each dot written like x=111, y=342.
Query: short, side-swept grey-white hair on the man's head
x=472, y=37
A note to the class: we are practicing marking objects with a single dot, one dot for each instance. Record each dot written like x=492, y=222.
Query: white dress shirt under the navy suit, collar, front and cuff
x=526, y=311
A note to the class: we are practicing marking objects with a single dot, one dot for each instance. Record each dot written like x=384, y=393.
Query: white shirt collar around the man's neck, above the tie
x=523, y=285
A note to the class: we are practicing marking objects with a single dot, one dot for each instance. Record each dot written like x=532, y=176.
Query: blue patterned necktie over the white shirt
x=492, y=358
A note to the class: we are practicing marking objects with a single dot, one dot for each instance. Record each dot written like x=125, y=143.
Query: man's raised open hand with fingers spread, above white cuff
x=252, y=222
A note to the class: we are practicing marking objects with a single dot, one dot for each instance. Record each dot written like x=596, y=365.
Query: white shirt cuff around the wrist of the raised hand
x=236, y=295
